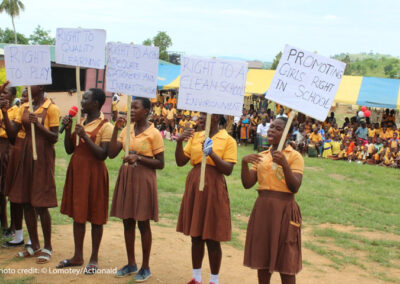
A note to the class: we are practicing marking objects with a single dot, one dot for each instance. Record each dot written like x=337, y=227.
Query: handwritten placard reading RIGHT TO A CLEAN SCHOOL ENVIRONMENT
x=213, y=86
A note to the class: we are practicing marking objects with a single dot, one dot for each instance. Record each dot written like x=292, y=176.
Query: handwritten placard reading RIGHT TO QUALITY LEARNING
x=81, y=47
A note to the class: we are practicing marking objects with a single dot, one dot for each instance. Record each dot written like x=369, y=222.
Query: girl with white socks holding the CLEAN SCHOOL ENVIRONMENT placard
x=205, y=215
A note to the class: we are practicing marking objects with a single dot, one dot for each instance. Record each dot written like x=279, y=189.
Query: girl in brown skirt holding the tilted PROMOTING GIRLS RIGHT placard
x=273, y=240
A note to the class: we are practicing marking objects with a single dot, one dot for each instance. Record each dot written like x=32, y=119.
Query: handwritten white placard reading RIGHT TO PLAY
x=28, y=65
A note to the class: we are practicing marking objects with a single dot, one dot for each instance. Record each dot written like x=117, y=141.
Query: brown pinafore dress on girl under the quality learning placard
x=85, y=196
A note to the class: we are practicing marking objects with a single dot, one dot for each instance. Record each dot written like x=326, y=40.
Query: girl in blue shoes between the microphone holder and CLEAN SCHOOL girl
x=135, y=194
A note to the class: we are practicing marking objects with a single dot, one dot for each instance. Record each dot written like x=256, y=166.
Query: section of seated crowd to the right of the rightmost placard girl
x=358, y=140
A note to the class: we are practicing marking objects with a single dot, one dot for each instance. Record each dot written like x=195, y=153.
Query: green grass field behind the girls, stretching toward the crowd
x=334, y=197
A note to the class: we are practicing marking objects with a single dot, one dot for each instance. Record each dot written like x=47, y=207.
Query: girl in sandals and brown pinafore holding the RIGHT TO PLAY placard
x=31, y=183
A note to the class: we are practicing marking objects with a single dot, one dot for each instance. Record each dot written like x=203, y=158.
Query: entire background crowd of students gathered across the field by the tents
x=357, y=140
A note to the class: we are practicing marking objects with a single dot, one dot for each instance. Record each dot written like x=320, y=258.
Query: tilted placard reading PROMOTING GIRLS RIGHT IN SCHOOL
x=306, y=82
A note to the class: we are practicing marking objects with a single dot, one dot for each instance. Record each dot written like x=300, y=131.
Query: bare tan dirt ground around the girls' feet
x=170, y=260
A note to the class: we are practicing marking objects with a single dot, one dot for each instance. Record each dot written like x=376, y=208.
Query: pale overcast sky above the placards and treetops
x=244, y=29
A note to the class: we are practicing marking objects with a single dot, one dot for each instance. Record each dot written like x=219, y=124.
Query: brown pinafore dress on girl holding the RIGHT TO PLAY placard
x=32, y=181
